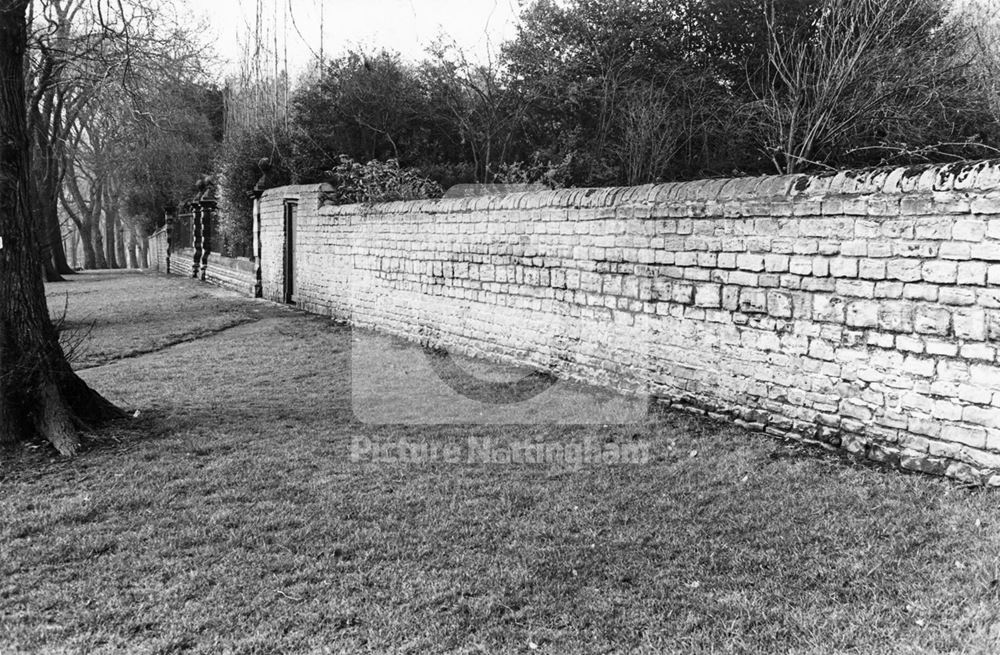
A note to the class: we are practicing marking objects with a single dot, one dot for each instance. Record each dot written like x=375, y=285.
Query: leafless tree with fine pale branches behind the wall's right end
x=863, y=69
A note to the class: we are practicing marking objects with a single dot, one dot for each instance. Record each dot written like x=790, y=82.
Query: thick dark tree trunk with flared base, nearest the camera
x=39, y=393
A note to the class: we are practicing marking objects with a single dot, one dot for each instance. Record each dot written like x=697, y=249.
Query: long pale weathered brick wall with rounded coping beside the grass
x=860, y=309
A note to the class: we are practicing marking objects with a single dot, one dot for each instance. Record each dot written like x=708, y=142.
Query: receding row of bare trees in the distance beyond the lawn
x=121, y=120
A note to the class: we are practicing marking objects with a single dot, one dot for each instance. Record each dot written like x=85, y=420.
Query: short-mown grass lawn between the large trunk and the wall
x=229, y=517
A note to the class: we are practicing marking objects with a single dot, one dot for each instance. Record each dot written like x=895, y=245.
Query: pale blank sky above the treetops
x=407, y=26
